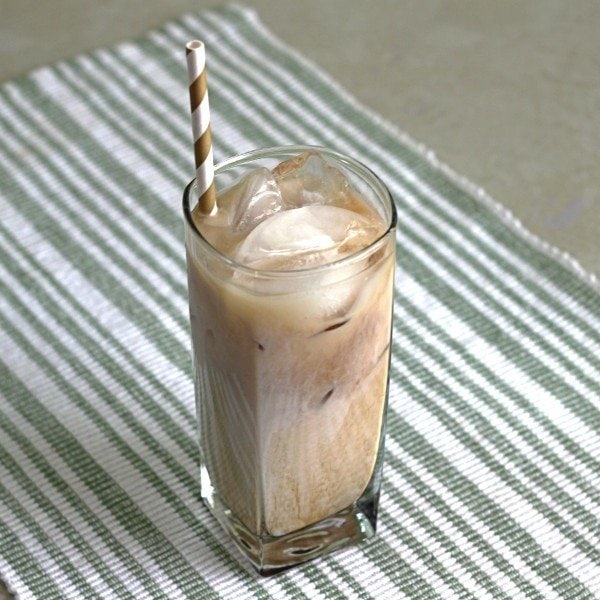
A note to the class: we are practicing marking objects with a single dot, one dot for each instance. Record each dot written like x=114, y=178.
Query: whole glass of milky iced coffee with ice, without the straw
x=290, y=289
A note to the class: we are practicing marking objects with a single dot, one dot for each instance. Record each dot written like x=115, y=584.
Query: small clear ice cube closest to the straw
x=252, y=199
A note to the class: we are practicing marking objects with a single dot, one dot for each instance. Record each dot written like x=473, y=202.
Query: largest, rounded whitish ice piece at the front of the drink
x=304, y=237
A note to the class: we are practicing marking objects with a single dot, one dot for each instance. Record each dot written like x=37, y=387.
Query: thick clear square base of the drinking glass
x=272, y=554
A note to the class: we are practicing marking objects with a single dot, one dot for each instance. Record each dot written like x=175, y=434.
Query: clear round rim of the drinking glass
x=352, y=164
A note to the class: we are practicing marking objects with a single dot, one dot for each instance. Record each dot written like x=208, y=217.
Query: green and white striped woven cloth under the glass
x=491, y=478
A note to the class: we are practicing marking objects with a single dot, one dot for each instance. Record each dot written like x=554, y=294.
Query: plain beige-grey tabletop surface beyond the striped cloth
x=506, y=92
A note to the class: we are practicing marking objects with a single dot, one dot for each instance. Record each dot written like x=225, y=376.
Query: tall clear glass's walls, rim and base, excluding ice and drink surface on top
x=291, y=378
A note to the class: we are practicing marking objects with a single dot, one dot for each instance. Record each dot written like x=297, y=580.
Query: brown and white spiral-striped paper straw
x=196, y=61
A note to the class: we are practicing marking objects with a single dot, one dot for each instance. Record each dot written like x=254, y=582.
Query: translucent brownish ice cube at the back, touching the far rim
x=308, y=179
